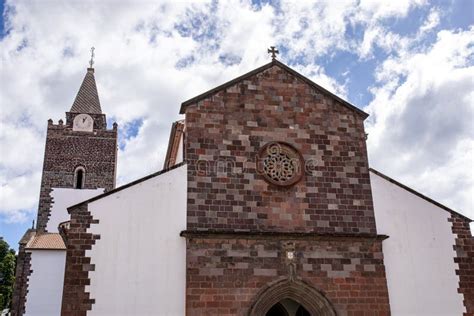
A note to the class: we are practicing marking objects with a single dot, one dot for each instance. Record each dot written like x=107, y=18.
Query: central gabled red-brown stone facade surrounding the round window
x=240, y=228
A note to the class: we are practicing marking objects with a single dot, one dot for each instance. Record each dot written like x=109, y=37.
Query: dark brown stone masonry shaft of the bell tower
x=67, y=149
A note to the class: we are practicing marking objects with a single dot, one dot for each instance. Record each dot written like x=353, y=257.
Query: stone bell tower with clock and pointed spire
x=80, y=154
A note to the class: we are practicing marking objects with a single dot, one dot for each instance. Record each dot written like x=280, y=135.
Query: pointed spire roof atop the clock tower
x=87, y=98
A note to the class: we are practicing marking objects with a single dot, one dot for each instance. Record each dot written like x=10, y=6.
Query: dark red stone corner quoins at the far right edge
x=464, y=248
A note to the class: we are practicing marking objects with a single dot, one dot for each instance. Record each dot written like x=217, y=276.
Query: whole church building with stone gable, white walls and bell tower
x=266, y=205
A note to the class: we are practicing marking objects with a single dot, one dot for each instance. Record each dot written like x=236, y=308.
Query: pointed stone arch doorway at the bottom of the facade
x=291, y=298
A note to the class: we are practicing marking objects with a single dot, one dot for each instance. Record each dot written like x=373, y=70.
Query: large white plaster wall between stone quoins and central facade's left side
x=140, y=259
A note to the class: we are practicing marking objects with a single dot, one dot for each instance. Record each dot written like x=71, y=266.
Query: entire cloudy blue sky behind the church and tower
x=408, y=63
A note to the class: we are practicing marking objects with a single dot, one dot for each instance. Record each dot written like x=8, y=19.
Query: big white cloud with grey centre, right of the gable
x=422, y=123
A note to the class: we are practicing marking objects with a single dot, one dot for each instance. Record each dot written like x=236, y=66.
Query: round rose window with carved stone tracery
x=280, y=163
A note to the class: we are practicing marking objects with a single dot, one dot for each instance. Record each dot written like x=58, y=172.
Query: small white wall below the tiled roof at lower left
x=45, y=286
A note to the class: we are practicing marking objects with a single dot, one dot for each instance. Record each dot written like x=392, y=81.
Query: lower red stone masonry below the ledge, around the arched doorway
x=225, y=274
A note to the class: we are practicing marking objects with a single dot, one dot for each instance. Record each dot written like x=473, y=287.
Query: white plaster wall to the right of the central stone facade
x=419, y=255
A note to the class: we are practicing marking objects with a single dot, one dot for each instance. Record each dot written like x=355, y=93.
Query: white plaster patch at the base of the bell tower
x=62, y=199
